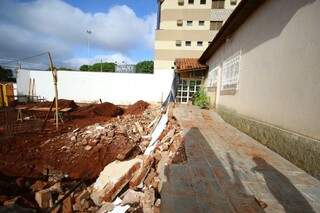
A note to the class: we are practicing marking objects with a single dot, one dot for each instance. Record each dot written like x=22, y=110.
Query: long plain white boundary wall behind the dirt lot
x=118, y=88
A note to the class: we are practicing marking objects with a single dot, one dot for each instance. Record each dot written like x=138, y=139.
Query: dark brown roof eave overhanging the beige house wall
x=242, y=12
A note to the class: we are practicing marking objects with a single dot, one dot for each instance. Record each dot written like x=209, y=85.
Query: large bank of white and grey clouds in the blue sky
x=41, y=25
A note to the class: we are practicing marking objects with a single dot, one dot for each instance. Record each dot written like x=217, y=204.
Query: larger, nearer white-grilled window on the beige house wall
x=230, y=73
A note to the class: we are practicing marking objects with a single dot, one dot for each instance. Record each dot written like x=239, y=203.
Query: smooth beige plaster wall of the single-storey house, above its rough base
x=279, y=66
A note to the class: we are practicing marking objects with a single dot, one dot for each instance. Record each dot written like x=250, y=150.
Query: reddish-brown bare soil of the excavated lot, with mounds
x=24, y=155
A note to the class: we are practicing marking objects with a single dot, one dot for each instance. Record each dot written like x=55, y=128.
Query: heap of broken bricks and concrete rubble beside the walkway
x=130, y=182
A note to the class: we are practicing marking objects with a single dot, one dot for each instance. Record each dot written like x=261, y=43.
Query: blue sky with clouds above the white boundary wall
x=122, y=30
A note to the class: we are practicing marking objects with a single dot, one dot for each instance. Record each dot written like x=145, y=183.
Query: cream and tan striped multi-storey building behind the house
x=185, y=28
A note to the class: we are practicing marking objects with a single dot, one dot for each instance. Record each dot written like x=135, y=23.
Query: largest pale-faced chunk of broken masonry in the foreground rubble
x=112, y=179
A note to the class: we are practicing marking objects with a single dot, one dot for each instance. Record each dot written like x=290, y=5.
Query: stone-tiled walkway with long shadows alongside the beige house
x=228, y=171
